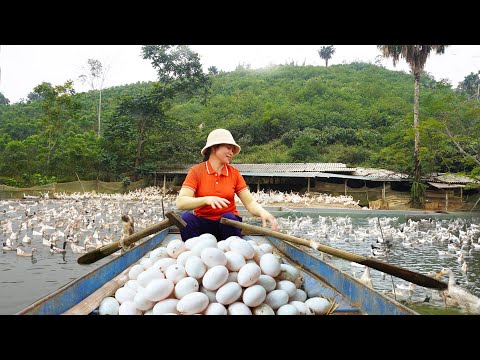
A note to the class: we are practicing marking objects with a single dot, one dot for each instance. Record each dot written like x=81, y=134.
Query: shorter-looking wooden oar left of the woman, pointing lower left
x=100, y=253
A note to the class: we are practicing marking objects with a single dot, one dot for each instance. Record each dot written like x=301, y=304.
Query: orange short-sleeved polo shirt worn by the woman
x=204, y=181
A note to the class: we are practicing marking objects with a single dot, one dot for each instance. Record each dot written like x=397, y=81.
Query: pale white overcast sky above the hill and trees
x=23, y=67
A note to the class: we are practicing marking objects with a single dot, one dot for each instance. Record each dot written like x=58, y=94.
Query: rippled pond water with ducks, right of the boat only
x=417, y=251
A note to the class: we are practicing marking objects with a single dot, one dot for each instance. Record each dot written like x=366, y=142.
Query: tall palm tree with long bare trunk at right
x=416, y=57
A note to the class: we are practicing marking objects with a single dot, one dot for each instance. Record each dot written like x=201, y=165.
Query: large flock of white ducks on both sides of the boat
x=86, y=221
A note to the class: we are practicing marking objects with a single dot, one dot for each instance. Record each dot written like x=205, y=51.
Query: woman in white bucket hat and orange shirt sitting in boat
x=210, y=187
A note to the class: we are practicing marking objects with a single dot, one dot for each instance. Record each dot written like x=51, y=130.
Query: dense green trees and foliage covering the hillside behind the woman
x=359, y=114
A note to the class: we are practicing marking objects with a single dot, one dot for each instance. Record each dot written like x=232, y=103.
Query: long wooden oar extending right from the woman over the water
x=412, y=276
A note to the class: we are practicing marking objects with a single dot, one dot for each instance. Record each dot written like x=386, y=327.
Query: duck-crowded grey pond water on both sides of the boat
x=24, y=280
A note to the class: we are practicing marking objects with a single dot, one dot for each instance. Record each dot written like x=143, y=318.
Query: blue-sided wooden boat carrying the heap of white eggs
x=83, y=295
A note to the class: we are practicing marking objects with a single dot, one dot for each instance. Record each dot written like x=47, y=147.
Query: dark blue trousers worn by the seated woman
x=197, y=226
